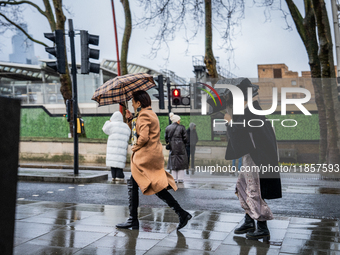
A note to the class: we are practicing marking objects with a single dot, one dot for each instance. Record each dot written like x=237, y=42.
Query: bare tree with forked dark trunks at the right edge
x=315, y=33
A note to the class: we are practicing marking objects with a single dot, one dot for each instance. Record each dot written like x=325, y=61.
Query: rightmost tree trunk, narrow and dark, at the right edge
x=327, y=72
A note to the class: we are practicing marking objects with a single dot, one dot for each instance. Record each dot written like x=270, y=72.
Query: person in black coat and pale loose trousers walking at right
x=258, y=147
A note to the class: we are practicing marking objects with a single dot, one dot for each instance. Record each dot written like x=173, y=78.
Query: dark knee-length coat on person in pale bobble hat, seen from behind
x=178, y=159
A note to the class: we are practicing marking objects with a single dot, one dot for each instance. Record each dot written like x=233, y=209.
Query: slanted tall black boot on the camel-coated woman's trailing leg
x=183, y=215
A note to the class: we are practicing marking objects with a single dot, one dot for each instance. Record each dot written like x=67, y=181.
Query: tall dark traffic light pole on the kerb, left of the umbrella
x=74, y=96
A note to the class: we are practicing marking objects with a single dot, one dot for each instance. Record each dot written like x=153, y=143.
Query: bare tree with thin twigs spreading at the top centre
x=173, y=16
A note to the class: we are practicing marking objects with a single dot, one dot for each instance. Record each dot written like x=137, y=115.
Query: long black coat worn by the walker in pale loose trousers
x=260, y=143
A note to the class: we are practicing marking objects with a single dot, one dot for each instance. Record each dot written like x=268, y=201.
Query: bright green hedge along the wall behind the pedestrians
x=35, y=122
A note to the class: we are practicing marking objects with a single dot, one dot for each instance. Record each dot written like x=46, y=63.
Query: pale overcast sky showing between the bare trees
x=258, y=42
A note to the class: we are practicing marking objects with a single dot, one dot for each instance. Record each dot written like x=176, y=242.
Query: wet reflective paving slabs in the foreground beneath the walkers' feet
x=67, y=228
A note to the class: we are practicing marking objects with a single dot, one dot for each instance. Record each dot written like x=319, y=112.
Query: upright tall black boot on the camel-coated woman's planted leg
x=132, y=221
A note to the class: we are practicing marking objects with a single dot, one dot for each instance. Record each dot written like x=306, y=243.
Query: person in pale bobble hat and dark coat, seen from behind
x=176, y=136
